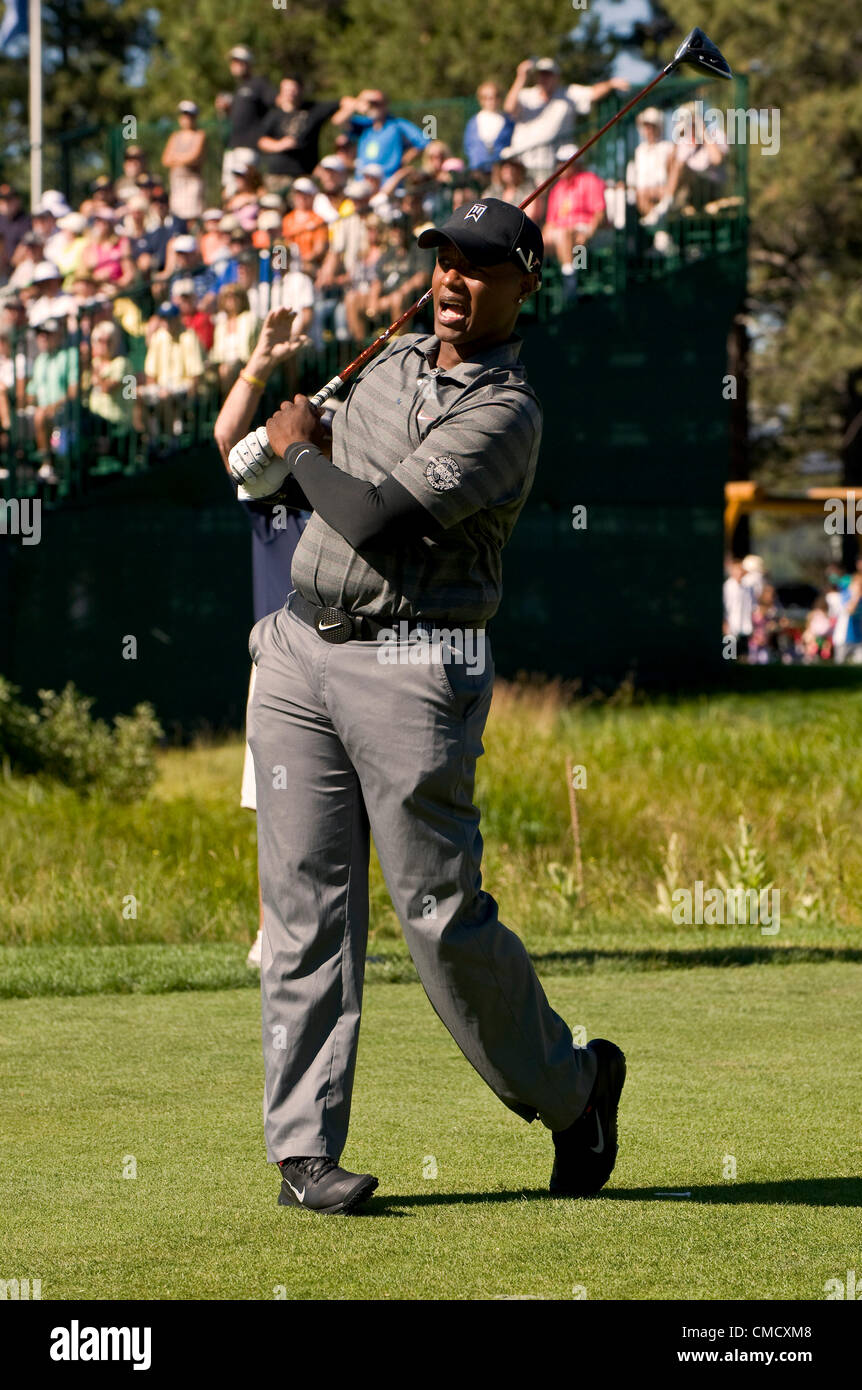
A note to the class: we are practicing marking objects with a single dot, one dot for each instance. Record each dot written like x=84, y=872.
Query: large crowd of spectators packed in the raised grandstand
x=123, y=313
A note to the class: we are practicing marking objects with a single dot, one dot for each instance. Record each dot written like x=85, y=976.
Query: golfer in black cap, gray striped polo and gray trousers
x=373, y=689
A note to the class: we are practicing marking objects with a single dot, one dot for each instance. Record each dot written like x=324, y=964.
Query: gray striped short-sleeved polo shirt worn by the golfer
x=464, y=443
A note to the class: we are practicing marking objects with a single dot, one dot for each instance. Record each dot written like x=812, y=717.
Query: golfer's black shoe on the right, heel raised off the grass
x=586, y=1153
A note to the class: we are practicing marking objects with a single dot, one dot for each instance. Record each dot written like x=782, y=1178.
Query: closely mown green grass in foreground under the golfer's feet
x=760, y=1064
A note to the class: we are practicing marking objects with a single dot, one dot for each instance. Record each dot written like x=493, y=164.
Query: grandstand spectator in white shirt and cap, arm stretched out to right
x=546, y=112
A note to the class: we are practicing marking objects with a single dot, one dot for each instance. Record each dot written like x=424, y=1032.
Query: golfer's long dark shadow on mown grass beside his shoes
x=795, y=1192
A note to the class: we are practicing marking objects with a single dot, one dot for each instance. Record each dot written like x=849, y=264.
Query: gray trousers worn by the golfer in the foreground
x=347, y=746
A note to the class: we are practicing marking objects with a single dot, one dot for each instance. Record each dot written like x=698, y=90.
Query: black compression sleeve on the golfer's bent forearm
x=362, y=512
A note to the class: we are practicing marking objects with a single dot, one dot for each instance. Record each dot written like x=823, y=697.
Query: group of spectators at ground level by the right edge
x=764, y=630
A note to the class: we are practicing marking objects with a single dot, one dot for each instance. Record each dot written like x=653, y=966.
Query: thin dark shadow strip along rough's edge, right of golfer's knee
x=664, y=958
